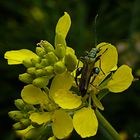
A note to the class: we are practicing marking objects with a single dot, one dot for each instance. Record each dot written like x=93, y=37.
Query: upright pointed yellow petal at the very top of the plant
x=63, y=25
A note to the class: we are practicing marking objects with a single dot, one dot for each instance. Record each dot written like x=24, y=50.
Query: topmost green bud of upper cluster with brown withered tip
x=46, y=45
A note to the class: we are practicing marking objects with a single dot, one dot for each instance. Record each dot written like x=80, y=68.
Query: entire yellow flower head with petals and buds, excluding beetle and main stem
x=51, y=105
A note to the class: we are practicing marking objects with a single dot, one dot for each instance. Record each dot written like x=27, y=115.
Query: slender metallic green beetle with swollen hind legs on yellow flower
x=88, y=69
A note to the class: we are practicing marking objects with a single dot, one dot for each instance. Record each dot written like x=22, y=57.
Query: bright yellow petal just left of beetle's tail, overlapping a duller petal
x=66, y=100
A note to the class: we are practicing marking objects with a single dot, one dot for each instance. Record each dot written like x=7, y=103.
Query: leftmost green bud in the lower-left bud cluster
x=16, y=115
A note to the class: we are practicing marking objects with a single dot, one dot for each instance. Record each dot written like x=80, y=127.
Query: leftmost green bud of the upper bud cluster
x=26, y=78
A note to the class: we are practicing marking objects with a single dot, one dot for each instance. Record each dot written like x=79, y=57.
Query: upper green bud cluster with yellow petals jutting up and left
x=47, y=61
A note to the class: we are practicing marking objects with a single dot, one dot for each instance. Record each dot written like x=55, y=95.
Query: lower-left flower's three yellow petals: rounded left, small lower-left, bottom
x=58, y=117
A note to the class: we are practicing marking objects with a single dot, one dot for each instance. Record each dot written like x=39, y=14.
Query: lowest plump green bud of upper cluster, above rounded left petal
x=41, y=82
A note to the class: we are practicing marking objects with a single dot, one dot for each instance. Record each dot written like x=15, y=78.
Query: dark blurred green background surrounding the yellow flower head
x=24, y=23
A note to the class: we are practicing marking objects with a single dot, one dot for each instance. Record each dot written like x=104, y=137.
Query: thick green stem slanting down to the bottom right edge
x=106, y=127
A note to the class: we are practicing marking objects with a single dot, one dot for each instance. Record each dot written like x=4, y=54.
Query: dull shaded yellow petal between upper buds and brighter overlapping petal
x=61, y=81
